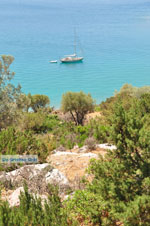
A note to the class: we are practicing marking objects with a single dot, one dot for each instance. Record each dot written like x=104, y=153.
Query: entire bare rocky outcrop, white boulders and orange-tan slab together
x=64, y=169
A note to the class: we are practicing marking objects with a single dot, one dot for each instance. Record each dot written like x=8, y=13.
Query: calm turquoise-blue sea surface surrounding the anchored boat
x=113, y=36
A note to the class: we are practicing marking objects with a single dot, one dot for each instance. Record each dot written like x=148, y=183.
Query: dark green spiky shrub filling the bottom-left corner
x=32, y=212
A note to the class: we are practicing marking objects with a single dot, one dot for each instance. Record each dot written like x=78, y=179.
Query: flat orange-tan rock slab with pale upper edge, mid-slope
x=73, y=163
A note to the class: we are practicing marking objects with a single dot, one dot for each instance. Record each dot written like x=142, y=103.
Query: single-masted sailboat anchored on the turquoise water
x=73, y=58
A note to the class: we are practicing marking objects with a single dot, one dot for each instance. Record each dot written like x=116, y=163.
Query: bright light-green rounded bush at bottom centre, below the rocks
x=85, y=208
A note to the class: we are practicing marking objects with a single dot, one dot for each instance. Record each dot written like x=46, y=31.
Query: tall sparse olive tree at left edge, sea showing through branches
x=8, y=92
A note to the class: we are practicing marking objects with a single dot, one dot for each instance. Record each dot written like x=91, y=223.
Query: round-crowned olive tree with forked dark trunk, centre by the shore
x=78, y=104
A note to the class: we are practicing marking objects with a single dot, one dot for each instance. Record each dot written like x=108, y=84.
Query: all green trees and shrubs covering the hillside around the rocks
x=119, y=193
